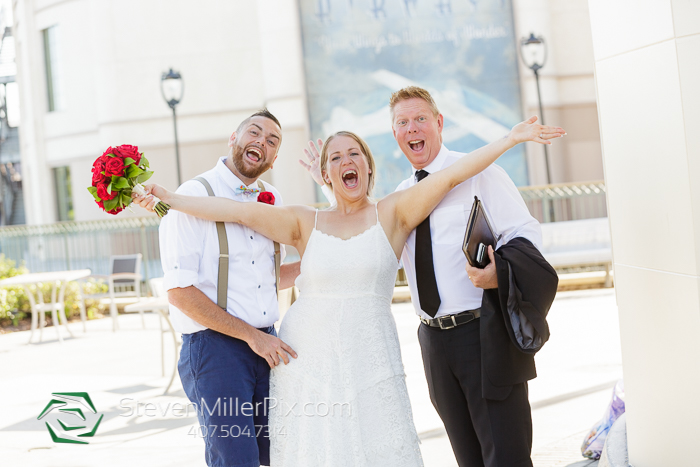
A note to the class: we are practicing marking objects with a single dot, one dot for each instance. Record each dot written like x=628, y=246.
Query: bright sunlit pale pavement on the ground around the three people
x=121, y=372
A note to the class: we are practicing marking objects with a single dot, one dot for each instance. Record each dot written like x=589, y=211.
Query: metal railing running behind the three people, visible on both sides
x=89, y=244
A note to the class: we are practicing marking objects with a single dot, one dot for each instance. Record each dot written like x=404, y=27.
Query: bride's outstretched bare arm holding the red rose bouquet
x=278, y=223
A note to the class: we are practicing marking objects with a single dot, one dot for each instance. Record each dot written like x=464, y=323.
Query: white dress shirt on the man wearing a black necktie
x=506, y=212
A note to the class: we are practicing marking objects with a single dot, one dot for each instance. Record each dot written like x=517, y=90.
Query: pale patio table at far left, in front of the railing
x=56, y=278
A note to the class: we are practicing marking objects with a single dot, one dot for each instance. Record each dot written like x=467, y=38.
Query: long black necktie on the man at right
x=428, y=295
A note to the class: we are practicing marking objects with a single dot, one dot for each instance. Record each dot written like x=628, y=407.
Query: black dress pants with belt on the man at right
x=483, y=432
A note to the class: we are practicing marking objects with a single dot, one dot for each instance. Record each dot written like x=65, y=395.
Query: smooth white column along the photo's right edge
x=647, y=66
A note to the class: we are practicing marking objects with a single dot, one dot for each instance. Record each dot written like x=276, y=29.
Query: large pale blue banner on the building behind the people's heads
x=357, y=52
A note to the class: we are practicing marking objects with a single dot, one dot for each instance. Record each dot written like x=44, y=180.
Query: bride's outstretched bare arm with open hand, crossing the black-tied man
x=415, y=204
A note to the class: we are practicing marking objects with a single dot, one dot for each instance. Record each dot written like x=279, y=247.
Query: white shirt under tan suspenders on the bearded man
x=189, y=251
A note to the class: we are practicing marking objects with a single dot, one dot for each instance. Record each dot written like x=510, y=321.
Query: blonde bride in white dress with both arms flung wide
x=343, y=401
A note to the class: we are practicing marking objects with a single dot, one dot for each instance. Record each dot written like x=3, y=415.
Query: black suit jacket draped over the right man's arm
x=527, y=284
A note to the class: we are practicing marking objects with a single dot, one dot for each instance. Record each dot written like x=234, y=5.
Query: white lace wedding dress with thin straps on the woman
x=343, y=401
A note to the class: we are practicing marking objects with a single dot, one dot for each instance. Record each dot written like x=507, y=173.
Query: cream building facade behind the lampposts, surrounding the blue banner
x=89, y=74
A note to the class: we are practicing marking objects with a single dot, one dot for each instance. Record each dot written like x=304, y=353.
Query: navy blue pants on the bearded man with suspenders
x=229, y=384
